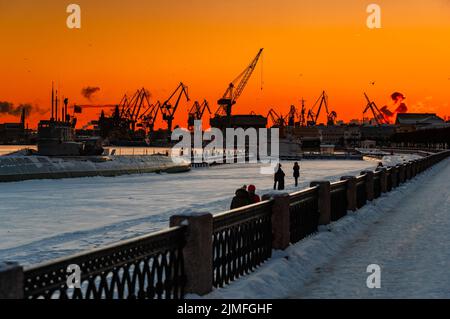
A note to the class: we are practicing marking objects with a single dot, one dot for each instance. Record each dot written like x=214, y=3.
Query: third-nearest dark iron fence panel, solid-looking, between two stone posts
x=304, y=213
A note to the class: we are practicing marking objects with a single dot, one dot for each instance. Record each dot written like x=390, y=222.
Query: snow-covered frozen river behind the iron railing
x=44, y=219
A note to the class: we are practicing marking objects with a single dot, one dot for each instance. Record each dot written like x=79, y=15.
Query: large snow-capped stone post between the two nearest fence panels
x=197, y=253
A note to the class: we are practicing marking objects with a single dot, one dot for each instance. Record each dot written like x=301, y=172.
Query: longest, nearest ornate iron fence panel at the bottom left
x=147, y=267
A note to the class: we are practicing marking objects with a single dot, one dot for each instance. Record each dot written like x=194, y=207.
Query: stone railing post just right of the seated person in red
x=281, y=235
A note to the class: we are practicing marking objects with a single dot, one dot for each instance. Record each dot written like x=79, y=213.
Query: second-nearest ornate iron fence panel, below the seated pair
x=242, y=240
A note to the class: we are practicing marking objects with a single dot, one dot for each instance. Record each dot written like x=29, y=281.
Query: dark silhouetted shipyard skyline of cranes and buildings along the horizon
x=132, y=121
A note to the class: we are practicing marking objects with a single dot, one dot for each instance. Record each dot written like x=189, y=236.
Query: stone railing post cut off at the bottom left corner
x=11, y=281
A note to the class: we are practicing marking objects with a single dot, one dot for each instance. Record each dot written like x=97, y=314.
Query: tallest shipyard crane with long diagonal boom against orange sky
x=235, y=89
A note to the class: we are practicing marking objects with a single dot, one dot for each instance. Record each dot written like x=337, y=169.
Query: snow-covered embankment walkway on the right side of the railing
x=405, y=232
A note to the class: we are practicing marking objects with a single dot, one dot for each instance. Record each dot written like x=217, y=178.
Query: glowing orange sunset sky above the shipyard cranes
x=310, y=46
